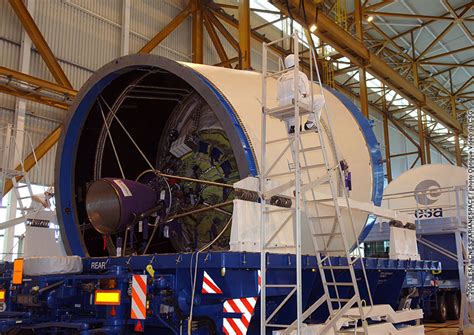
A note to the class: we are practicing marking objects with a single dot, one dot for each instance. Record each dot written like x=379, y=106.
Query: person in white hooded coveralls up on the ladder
x=286, y=95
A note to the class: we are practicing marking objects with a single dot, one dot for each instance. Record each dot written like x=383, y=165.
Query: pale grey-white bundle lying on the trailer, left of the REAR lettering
x=41, y=266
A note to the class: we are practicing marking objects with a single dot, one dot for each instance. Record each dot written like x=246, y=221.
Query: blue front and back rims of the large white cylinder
x=68, y=164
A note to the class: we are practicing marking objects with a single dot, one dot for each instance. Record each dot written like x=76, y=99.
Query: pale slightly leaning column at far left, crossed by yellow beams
x=19, y=132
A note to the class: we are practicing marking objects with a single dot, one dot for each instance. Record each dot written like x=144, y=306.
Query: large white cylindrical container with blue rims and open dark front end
x=197, y=121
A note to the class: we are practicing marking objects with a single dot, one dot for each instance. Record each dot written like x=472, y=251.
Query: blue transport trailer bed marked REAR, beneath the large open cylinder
x=107, y=296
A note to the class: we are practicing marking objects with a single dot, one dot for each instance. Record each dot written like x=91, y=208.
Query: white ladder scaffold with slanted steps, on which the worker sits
x=338, y=230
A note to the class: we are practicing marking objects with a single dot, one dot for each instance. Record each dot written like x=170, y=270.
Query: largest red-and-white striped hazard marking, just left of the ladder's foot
x=244, y=306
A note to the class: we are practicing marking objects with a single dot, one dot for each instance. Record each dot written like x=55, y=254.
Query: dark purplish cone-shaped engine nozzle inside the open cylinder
x=113, y=204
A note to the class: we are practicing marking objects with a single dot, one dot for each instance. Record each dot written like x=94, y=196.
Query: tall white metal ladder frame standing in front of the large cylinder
x=297, y=147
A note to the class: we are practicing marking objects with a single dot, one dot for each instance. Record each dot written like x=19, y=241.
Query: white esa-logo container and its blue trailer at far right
x=436, y=195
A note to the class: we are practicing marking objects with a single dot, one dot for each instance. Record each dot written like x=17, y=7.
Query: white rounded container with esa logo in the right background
x=433, y=194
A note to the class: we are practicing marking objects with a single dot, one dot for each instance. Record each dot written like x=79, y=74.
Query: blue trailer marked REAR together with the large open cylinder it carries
x=161, y=159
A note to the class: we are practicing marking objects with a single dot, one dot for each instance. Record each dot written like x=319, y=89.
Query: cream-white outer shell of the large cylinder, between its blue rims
x=243, y=91
